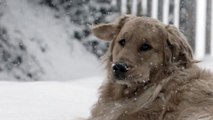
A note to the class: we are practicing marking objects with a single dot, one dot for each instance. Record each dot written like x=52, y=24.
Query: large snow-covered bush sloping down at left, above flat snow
x=38, y=44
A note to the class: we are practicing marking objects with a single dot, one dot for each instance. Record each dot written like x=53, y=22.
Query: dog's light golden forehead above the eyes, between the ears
x=142, y=28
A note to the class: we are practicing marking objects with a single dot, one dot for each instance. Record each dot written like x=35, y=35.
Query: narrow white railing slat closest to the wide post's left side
x=176, y=12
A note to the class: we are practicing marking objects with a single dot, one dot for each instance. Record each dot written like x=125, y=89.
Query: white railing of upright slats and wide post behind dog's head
x=200, y=29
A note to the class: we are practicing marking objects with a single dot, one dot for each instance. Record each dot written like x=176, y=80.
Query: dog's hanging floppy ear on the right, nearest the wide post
x=177, y=50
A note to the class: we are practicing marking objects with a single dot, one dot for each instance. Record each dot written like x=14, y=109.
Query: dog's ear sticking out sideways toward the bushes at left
x=108, y=31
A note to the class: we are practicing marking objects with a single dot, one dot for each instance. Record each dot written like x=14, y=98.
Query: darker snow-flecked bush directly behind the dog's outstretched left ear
x=84, y=13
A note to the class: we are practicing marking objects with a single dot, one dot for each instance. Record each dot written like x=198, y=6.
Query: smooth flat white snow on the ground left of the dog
x=48, y=100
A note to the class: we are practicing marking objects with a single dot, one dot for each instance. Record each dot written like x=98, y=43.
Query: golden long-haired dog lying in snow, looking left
x=151, y=74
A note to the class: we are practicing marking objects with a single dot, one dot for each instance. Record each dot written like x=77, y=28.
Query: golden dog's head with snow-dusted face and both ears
x=141, y=47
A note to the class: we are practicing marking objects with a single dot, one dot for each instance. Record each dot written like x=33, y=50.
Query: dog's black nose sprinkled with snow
x=119, y=69
